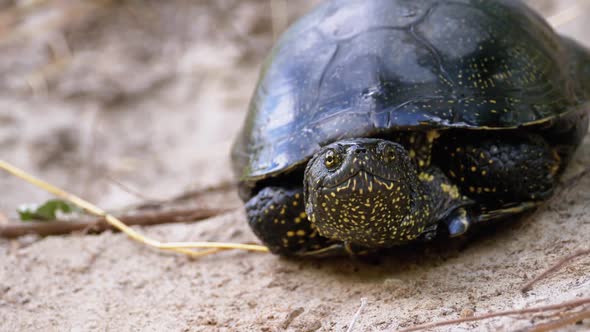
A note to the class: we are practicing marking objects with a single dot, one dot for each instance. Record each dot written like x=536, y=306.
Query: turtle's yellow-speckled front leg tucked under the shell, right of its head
x=506, y=176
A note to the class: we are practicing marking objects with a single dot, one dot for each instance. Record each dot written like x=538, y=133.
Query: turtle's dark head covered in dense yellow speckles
x=365, y=191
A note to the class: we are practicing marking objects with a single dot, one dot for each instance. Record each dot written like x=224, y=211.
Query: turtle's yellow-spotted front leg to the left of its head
x=277, y=217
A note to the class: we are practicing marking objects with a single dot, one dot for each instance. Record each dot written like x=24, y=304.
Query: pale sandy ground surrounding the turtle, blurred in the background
x=151, y=94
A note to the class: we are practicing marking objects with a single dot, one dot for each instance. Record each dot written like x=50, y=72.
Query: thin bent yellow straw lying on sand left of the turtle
x=180, y=247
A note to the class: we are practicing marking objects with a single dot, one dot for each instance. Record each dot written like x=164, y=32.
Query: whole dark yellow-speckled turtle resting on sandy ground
x=382, y=123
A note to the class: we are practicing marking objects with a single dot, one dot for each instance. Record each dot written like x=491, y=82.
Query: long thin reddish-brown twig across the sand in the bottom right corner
x=564, y=305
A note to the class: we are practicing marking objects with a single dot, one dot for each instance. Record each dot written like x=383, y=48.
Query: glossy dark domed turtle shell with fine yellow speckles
x=363, y=68
